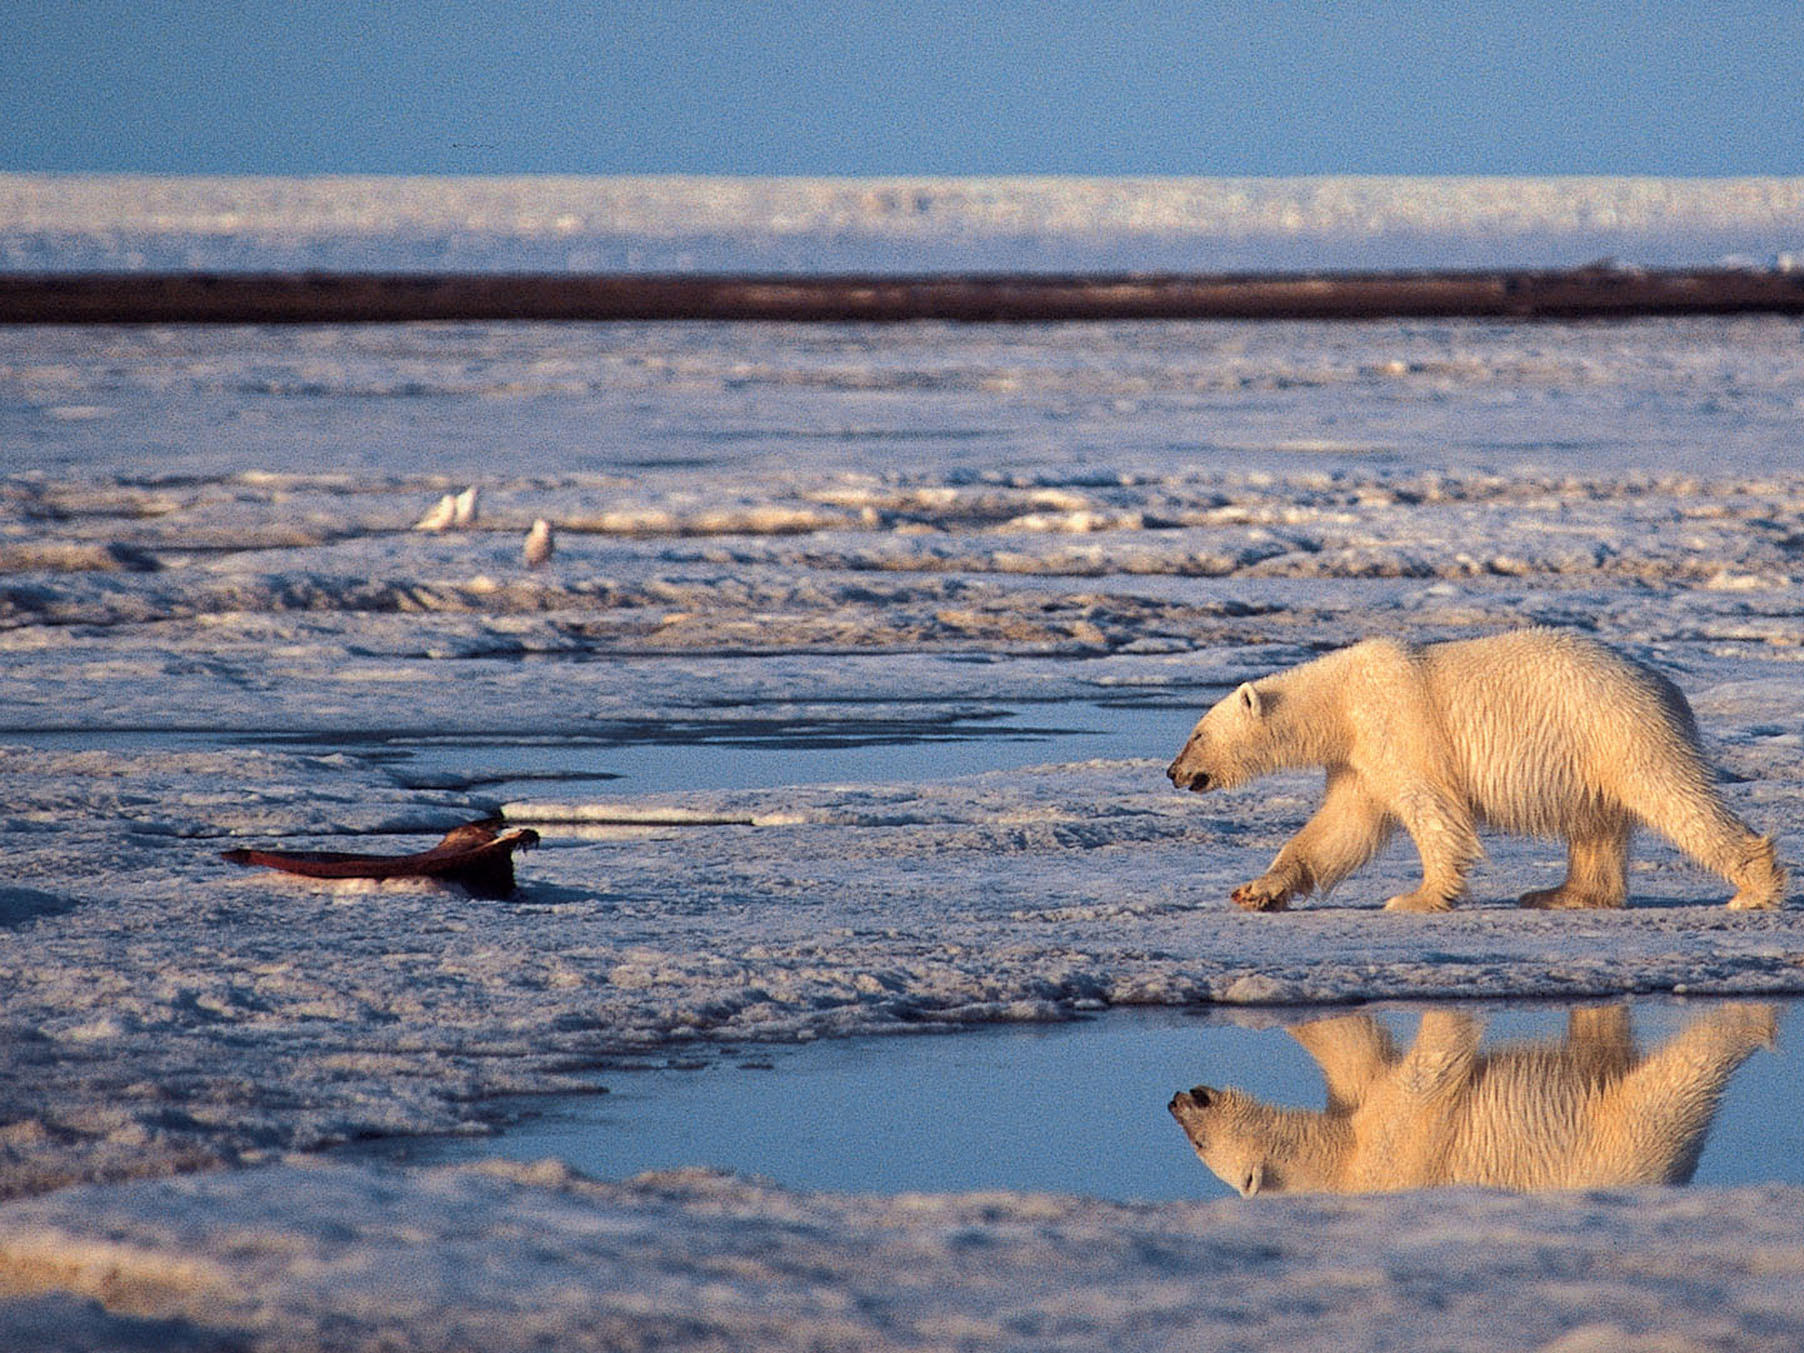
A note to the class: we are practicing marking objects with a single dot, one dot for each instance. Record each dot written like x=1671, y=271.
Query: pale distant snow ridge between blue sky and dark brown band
x=825, y=225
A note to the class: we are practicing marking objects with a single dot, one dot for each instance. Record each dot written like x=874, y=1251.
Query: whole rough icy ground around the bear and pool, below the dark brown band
x=217, y=621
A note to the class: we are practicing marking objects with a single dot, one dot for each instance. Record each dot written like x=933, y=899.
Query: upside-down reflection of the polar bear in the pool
x=1578, y=1114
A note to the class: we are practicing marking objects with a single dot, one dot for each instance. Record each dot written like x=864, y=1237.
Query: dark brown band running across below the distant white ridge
x=243, y=299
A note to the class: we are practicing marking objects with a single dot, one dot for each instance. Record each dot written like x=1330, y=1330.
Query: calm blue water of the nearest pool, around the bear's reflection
x=1063, y=1109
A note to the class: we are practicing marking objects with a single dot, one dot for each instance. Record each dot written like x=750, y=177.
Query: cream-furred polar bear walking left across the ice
x=1538, y=733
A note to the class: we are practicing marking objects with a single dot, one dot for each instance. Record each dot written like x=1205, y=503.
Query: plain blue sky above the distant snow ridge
x=838, y=87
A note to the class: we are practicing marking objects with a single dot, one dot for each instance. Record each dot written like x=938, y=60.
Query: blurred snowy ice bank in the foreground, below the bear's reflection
x=519, y=1258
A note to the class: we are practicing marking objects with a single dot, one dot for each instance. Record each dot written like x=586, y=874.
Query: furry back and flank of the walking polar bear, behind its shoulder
x=1551, y=730
